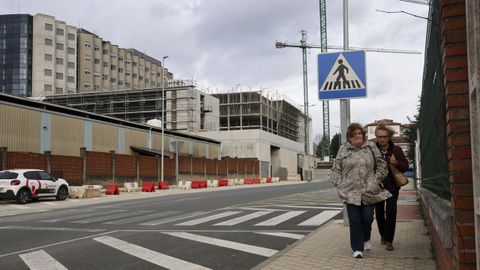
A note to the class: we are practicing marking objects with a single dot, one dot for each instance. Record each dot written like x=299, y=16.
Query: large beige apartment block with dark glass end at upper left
x=42, y=56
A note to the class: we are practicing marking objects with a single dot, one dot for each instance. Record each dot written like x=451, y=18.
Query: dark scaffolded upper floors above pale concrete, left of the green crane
x=252, y=110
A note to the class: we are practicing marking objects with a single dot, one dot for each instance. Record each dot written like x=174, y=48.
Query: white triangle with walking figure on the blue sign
x=342, y=77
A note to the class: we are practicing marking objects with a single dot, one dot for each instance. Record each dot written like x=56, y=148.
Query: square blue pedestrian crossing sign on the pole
x=342, y=75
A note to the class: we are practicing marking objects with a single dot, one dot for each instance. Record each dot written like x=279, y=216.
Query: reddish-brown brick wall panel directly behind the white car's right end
x=67, y=167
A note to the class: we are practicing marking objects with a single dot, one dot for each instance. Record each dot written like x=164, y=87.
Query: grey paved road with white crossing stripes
x=226, y=229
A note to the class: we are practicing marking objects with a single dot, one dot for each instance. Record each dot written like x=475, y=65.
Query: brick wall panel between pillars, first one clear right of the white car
x=99, y=165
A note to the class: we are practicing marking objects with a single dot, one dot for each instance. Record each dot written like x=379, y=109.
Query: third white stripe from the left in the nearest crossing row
x=266, y=252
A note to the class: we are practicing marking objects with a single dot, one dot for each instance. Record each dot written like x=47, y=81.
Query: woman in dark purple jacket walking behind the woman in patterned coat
x=386, y=211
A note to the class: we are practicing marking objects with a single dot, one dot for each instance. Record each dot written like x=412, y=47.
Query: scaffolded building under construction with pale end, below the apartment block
x=187, y=108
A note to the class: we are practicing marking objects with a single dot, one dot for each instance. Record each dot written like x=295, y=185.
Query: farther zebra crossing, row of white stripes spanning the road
x=261, y=217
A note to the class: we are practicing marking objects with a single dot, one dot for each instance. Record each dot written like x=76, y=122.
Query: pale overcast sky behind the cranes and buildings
x=226, y=45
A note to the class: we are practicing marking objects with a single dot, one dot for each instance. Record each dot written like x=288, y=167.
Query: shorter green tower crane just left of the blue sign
x=303, y=45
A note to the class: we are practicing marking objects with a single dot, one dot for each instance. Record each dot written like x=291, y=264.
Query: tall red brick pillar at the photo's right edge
x=454, y=54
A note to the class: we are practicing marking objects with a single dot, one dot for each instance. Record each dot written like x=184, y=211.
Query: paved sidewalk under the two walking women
x=329, y=246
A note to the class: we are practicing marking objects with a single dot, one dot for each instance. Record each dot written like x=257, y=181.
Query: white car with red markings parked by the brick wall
x=24, y=185
